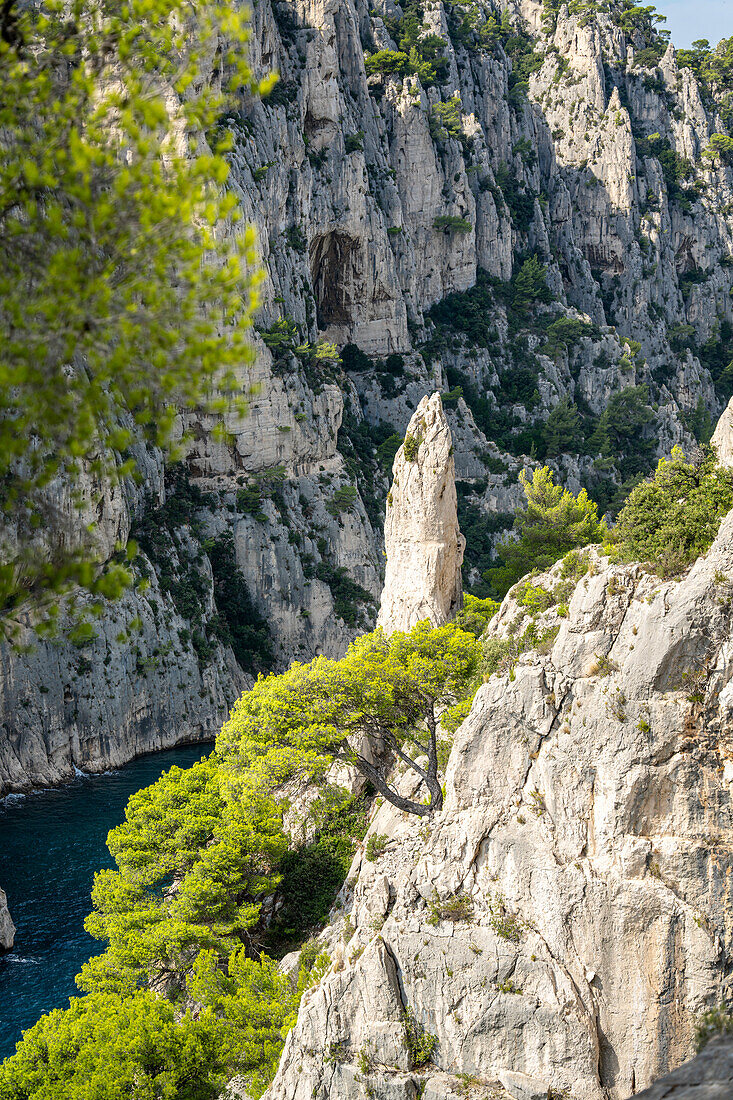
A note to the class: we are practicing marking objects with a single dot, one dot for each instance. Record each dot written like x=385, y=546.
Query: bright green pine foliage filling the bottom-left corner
x=110, y=1047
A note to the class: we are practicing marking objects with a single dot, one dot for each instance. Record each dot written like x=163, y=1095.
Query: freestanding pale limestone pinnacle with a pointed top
x=423, y=543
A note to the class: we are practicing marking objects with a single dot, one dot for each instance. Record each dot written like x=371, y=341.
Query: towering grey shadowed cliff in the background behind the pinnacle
x=375, y=197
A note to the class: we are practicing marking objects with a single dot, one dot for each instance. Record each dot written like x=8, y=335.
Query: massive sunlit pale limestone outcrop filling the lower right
x=567, y=916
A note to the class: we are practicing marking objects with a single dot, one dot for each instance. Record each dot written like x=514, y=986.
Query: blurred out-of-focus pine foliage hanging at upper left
x=121, y=300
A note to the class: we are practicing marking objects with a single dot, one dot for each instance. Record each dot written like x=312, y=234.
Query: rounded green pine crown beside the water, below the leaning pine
x=224, y=857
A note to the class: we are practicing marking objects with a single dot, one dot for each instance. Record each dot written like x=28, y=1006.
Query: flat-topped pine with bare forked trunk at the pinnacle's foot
x=387, y=692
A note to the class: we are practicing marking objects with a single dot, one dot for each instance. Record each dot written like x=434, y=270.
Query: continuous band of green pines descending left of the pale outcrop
x=199, y=854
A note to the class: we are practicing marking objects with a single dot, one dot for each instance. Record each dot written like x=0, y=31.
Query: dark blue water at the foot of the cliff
x=51, y=844
